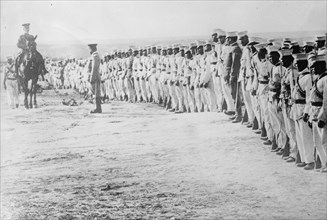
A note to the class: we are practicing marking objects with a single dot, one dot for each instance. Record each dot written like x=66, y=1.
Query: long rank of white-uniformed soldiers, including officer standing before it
x=275, y=87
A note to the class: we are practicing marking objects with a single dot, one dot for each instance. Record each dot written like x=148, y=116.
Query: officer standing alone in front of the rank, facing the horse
x=94, y=77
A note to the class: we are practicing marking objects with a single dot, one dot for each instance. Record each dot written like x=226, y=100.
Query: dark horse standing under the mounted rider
x=29, y=71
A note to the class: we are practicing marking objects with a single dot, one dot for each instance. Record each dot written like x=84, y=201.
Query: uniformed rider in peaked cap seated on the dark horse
x=22, y=44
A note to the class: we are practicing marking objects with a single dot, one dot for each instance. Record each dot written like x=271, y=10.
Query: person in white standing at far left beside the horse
x=10, y=84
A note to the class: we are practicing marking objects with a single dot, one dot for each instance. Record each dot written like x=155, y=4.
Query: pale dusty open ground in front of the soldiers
x=56, y=159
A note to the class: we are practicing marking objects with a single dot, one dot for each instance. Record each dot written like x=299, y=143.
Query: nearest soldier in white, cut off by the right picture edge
x=317, y=64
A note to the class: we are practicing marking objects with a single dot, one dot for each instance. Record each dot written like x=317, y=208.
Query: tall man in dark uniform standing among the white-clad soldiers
x=232, y=64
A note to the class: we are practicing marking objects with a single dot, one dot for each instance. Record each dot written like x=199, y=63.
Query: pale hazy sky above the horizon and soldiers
x=86, y=21
